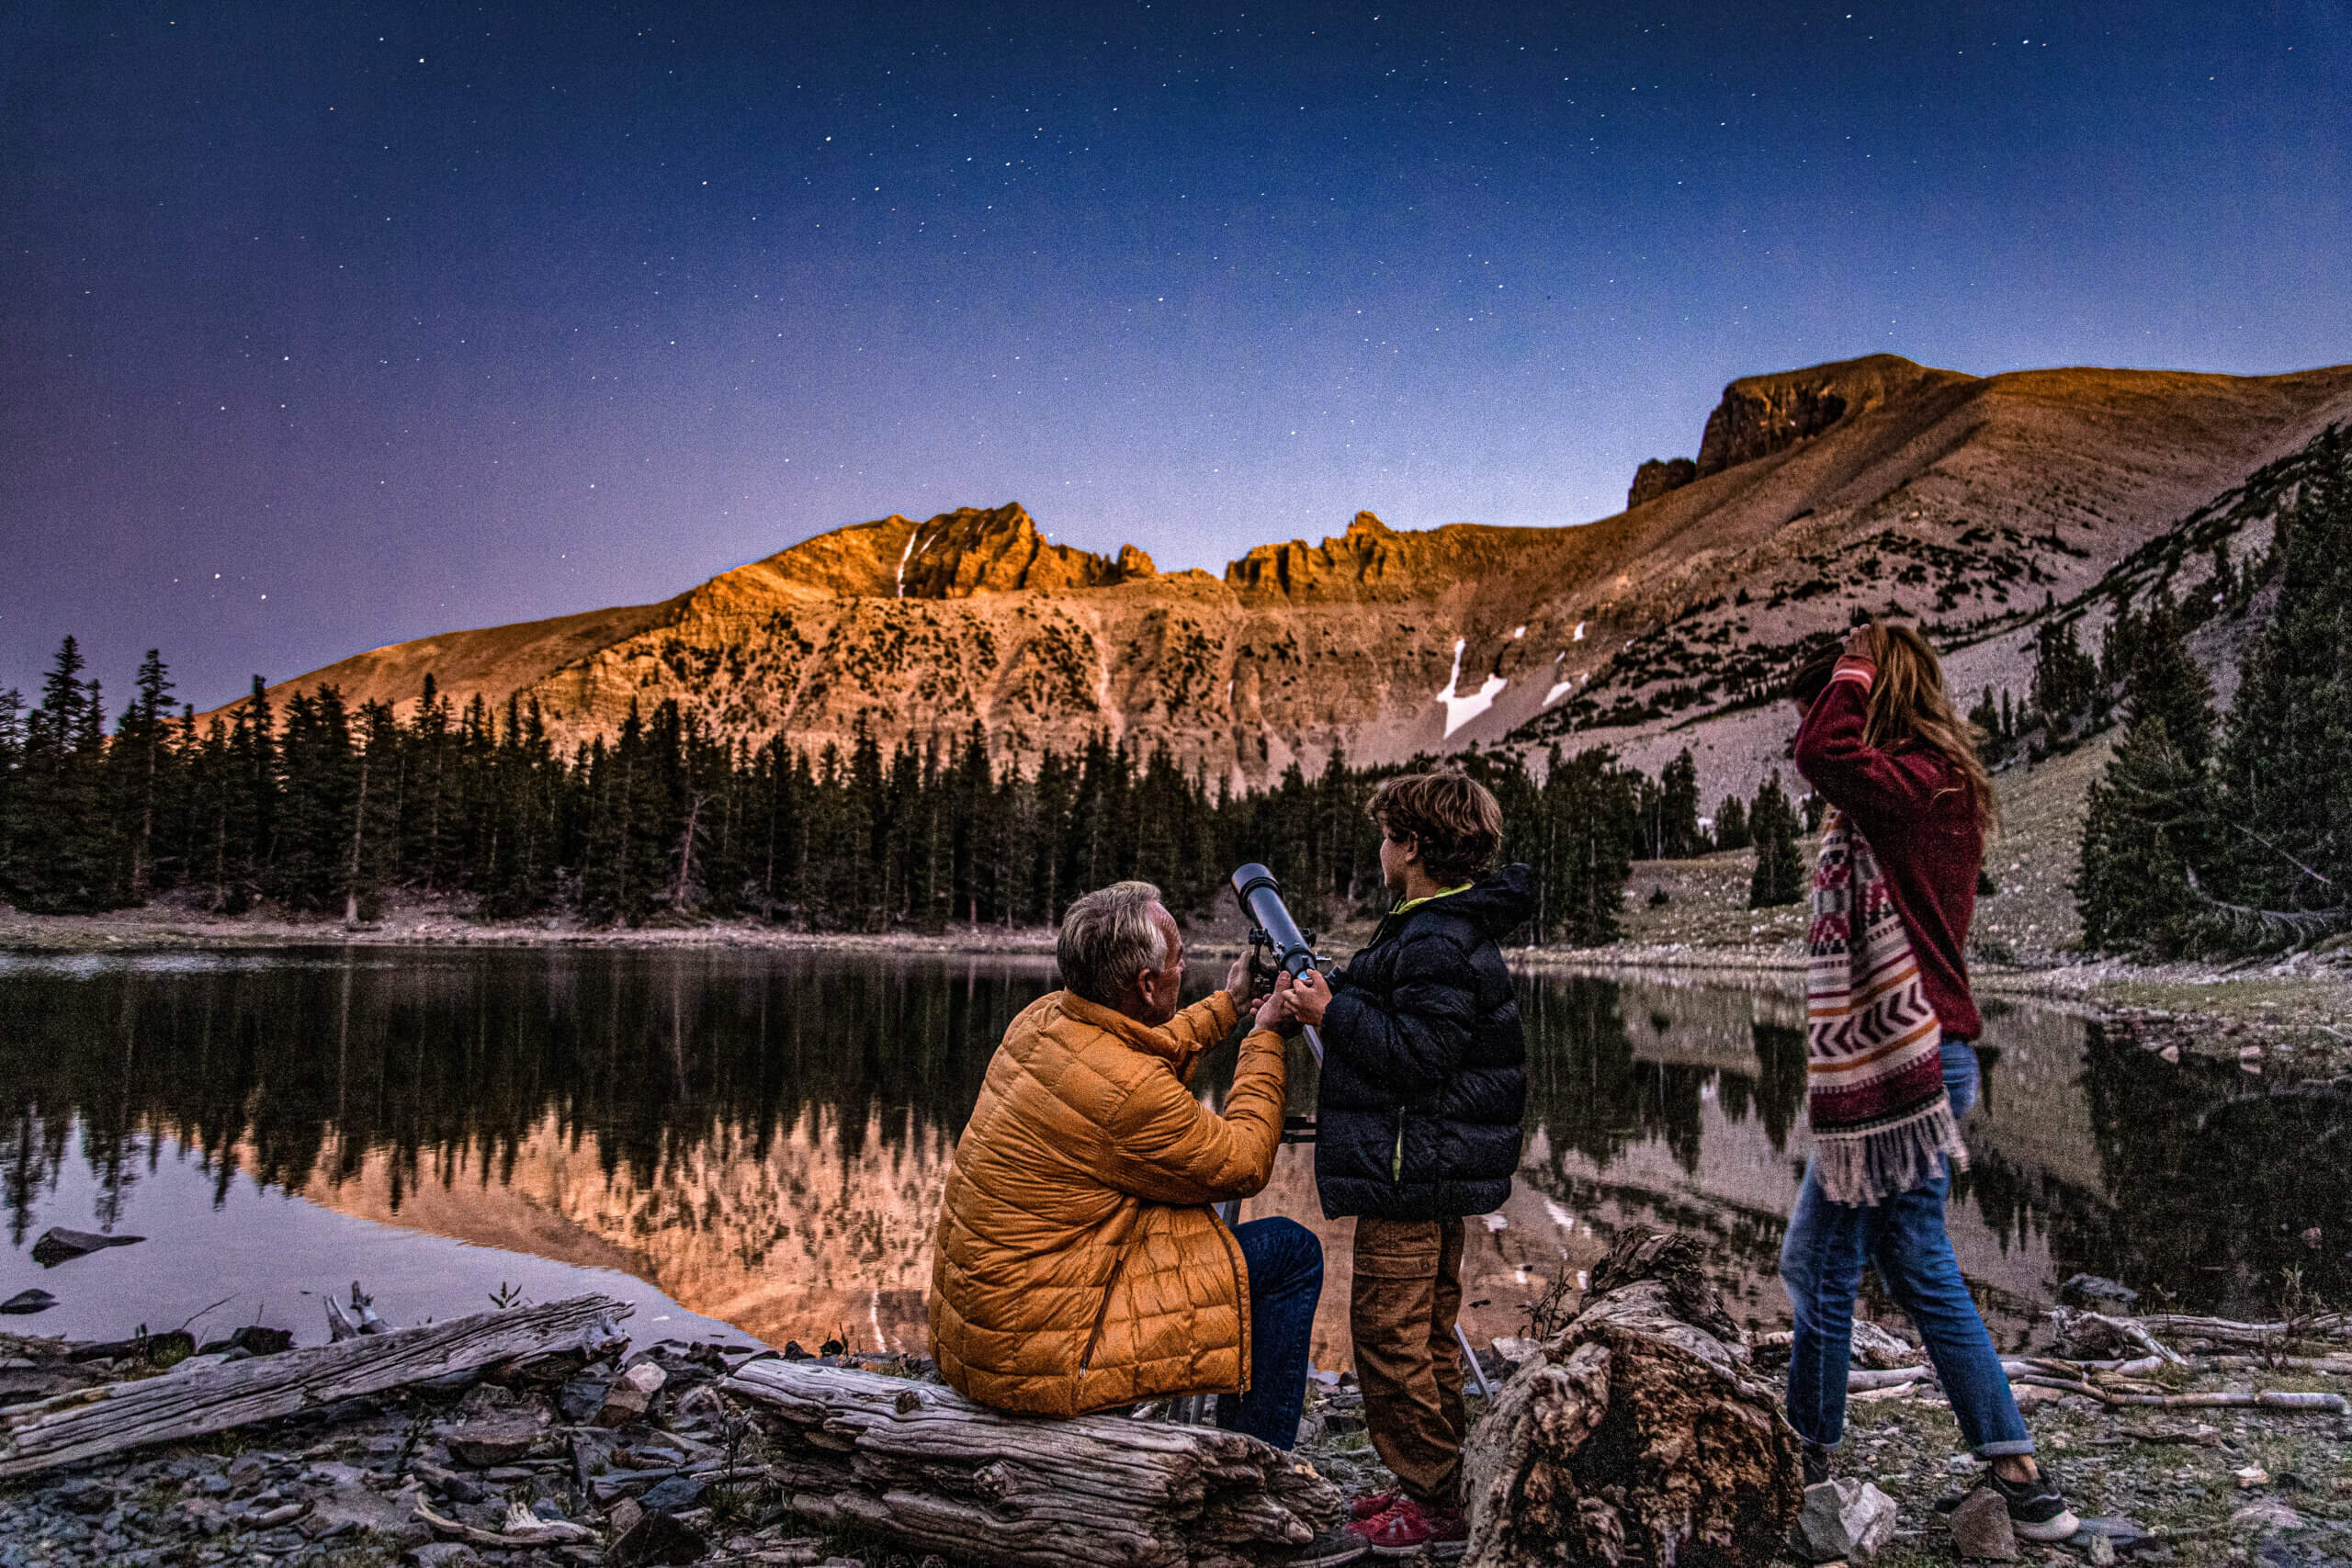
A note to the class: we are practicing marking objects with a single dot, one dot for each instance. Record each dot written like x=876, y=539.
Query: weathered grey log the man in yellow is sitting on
x=926, y=1468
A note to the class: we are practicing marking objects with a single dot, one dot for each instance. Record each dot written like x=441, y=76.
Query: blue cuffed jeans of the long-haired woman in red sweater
x=1822, y=1268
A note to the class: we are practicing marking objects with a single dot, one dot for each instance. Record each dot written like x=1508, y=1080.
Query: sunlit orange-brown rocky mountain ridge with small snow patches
x=1871, y=485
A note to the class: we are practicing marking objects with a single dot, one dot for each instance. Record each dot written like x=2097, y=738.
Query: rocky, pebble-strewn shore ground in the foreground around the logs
x=634, y=1456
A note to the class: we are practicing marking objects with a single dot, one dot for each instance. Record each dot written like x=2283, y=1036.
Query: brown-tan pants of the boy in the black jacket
x=1408, y=1292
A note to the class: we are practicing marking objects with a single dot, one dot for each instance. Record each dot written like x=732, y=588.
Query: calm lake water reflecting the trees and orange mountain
x=754, y=1144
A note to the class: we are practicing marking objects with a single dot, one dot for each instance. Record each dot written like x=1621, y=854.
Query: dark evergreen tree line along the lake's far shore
x=330, y=808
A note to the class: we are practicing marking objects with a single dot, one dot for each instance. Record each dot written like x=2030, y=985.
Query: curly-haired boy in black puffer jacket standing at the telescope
x=1419, y=1127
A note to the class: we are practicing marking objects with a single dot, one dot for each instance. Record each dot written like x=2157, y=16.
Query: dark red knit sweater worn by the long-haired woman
x=1918, y=817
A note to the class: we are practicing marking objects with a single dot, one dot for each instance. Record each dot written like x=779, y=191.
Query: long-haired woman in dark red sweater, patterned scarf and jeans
x=1890, y=1057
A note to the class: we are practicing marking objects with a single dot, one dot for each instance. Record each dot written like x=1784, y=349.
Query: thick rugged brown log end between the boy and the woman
x=1638, y=1435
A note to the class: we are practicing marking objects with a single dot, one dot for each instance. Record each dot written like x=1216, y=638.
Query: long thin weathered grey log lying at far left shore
x=199, y=1400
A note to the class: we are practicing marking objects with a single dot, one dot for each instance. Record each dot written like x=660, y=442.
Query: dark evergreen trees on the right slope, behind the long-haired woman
x=2226, y=838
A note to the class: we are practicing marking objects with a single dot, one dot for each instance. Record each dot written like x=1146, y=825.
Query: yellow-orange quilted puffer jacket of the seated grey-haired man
x=1078, y=1264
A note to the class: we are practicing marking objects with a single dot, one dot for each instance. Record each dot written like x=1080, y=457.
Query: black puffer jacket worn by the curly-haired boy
x=1424, y=1066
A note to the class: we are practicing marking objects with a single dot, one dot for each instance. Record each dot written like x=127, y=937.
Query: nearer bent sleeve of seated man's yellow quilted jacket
x=1170, y=1148
